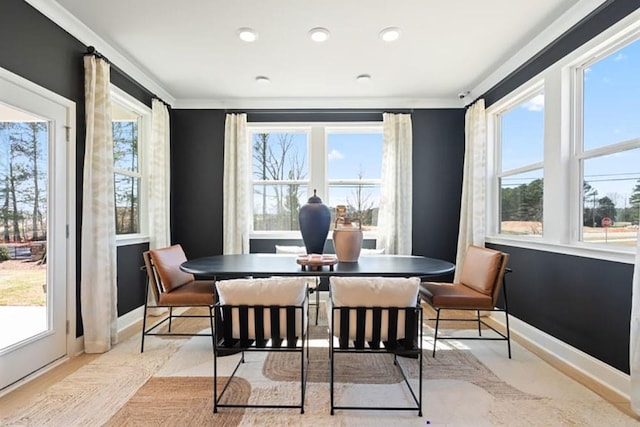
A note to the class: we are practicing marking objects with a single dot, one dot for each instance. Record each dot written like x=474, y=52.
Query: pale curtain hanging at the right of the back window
x=394, y=217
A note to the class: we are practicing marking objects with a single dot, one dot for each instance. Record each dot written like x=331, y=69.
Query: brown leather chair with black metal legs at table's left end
x=173, y=288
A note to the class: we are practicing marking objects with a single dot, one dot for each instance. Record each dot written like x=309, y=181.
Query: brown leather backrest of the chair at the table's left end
x=163, y=268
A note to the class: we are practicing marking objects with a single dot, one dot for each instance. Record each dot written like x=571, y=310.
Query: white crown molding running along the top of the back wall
x=321, y=103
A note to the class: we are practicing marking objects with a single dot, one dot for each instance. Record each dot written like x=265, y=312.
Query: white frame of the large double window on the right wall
x=561, y=171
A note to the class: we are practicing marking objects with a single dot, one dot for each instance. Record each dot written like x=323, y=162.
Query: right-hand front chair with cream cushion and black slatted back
x=376, y=315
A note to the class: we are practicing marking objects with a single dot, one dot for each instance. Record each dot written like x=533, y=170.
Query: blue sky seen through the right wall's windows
x=611, y=115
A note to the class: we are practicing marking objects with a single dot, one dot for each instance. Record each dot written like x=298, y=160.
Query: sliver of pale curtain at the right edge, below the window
x=634, y=339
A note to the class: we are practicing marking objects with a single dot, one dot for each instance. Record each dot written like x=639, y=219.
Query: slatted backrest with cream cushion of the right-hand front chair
x=371, y=292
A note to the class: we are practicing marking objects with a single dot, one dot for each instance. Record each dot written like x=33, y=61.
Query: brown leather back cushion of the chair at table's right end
x=483, y=270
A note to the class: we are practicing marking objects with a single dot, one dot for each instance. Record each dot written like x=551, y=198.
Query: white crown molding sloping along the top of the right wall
x=558, y=27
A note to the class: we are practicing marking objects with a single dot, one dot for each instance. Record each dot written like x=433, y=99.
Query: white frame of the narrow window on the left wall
x=144, y=133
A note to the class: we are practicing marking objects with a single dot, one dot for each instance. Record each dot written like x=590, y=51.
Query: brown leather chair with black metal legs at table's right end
x=481, y=279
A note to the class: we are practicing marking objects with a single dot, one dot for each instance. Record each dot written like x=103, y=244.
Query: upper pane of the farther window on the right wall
x=522, y=133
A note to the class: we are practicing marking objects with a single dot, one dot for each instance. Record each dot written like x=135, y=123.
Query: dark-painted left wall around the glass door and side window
x=36, y=49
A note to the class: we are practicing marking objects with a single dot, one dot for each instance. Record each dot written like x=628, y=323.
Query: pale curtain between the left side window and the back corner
x=159, y=232
